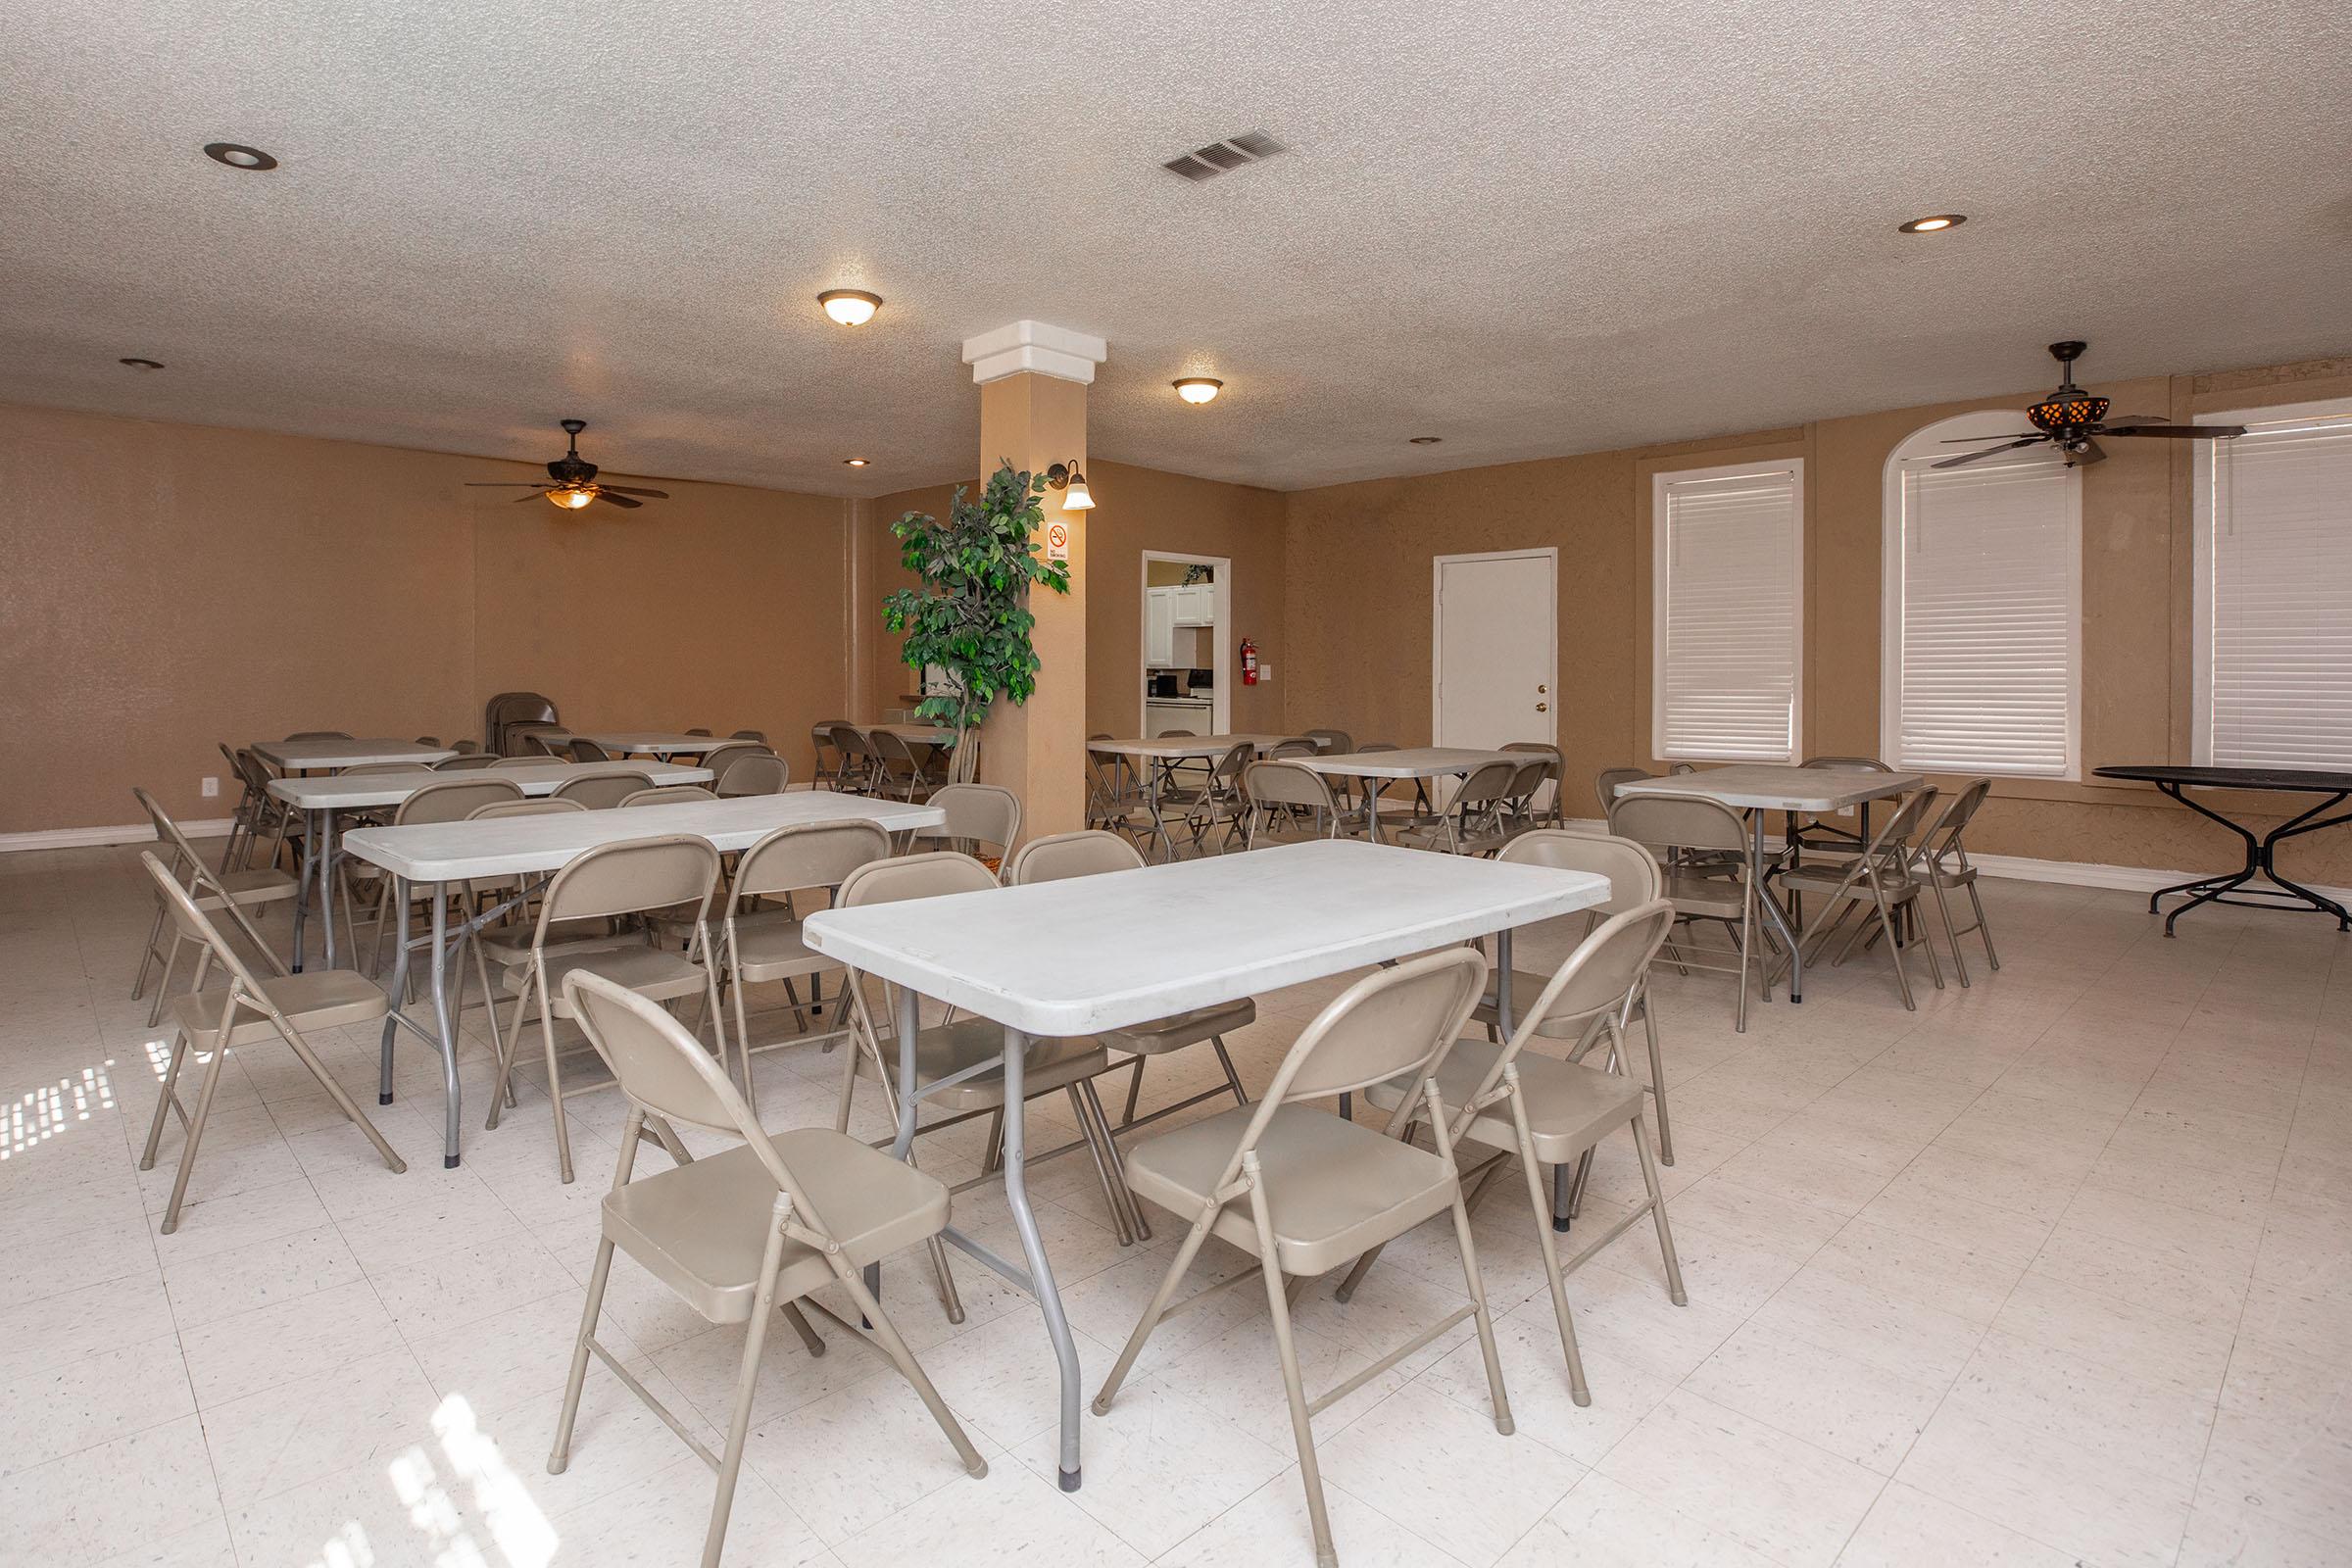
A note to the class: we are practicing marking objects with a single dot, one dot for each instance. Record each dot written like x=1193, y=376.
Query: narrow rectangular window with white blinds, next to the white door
x=1728, y=612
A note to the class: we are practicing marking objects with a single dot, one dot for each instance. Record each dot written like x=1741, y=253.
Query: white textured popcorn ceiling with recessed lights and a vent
x=1525, y=227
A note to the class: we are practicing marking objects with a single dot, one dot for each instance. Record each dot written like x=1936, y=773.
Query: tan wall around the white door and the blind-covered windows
x=1361, y=587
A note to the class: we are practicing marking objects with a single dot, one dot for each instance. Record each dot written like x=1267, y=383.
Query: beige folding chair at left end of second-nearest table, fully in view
x=243, y=1014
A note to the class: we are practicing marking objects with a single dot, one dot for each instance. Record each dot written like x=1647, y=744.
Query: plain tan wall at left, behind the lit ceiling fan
x=175, y=587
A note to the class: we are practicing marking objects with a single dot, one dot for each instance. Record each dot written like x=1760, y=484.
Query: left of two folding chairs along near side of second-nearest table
x=627, y=878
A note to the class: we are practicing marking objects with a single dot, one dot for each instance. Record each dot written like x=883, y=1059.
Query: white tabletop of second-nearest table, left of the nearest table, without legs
x=497, y=847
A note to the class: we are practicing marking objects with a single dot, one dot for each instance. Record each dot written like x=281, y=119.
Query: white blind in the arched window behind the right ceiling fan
x=1984, y=619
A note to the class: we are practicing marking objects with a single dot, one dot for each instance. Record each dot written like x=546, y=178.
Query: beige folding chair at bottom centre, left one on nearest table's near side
x=1304, y=1191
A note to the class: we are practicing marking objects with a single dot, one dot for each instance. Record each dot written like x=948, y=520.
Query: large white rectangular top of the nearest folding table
x=1121, y=949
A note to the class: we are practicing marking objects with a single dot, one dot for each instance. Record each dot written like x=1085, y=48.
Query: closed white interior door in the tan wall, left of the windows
x=1497, y=650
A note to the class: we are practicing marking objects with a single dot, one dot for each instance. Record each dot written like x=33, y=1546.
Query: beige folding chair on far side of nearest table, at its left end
x=958, y=1047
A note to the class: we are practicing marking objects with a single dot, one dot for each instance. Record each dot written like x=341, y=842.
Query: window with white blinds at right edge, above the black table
x=2276, y=591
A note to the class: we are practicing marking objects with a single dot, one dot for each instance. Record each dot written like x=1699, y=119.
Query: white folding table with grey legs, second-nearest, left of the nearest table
x=542, y=845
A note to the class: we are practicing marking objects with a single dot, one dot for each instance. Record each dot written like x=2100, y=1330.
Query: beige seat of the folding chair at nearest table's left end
x=702, y=1228
